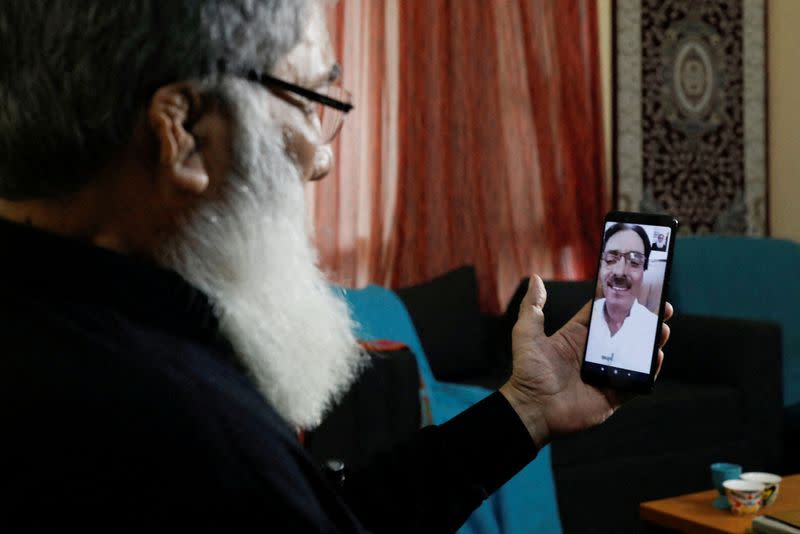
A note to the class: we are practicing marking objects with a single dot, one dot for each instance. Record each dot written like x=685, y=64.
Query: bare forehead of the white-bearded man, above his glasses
x=311, y=61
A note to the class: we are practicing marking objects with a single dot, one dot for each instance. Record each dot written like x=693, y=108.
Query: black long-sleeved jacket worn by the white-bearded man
x=123, y=408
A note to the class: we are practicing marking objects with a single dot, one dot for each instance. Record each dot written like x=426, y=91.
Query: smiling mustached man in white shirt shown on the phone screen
x=622, y=329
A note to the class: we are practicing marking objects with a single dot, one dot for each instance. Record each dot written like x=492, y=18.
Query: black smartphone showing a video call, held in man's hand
x=628, y=306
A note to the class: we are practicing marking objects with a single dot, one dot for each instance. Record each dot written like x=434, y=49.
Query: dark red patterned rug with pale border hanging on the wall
x=690, y=112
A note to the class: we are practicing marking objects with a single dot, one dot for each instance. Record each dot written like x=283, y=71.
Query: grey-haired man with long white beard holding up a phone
x=165, y=330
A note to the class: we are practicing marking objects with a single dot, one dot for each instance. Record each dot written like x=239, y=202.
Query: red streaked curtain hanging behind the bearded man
x=477, y=139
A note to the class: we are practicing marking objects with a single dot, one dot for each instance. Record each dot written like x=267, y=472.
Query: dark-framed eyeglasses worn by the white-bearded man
x=331, y=104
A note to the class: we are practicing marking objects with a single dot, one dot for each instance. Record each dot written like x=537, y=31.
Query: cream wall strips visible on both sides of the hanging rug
x=783, y=59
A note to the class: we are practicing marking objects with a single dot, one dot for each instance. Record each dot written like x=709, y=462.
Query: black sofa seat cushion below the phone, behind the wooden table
x=655, y=446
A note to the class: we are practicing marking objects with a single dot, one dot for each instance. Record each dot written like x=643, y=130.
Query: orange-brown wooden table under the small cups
x=694, y=513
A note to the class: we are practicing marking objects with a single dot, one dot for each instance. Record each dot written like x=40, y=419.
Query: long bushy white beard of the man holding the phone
x=251, y=254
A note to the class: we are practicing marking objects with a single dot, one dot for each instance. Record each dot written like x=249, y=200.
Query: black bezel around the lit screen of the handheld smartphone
x=621, y=382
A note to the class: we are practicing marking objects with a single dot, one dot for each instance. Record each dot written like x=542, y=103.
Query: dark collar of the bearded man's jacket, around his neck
x=38, y=264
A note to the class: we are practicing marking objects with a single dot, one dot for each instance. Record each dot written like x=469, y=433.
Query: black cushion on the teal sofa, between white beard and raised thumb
x=446, y=314
